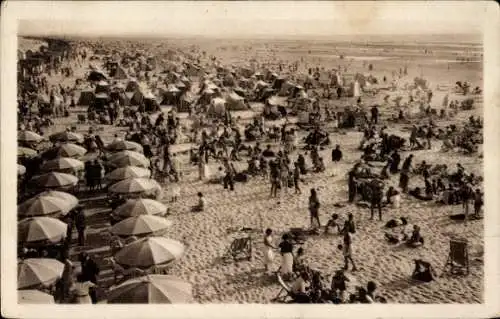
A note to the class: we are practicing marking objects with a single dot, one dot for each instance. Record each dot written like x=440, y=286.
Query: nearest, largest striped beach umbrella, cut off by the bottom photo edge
x=152, y=289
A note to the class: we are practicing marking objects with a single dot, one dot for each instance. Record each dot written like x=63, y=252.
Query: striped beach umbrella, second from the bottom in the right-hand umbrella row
x=150, y=251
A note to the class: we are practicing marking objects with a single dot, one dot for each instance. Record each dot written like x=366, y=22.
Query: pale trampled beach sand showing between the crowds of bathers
x=207, y=235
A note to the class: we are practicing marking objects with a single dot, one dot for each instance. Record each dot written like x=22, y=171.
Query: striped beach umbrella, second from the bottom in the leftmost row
x=38, y=271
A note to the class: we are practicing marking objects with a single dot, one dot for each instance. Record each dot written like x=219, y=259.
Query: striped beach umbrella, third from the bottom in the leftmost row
x=37, y=229
